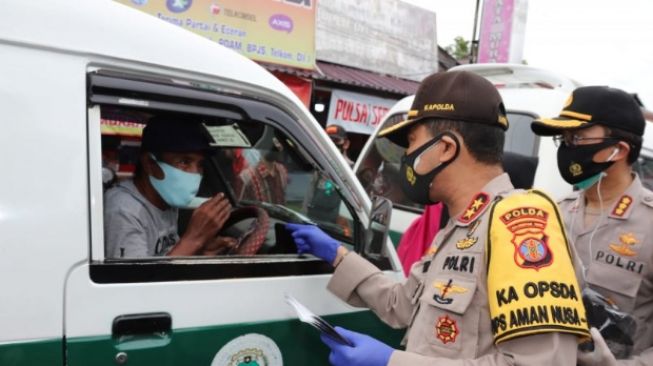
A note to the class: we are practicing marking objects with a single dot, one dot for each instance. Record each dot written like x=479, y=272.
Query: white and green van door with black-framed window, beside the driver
x=210, y=310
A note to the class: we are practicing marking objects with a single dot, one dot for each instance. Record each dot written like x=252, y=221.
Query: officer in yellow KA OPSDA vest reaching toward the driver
x=498, y=285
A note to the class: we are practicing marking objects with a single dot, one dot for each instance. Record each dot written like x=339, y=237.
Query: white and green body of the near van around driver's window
x=51, y=209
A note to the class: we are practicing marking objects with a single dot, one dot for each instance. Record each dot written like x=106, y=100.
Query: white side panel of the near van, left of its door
x=43, y=190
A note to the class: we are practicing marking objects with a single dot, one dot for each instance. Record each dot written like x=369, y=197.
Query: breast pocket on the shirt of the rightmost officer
x=617, y=284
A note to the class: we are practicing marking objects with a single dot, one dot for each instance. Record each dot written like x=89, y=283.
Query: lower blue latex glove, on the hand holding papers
x=367, y=351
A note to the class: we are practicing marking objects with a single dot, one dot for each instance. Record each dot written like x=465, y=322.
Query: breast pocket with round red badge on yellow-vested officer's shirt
x=446, y=319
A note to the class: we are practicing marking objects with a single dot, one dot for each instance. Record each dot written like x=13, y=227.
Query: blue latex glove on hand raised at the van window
x=310, y=239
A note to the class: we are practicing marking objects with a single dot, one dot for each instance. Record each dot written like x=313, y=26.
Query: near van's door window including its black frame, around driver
x=258, y=162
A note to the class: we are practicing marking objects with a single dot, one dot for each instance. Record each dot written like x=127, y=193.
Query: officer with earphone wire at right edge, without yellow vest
x=609, y=219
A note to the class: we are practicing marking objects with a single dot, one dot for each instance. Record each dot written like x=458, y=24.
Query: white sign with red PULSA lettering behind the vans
x=357, y=113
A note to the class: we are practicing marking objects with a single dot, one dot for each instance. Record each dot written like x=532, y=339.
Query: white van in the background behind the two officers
x=527, y=93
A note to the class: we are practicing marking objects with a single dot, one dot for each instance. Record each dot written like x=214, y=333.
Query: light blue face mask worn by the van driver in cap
x=177, y=188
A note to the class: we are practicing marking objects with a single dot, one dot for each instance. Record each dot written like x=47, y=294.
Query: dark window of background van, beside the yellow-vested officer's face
x=380, y=167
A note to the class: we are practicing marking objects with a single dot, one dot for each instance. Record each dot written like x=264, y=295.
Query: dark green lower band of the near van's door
x=299, y=343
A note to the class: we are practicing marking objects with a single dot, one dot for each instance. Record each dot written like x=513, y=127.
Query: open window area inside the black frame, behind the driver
x=253, y=163
